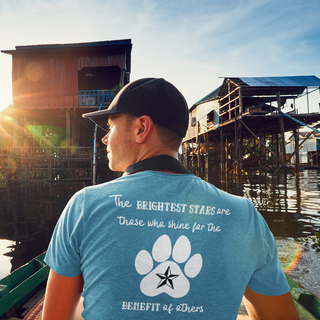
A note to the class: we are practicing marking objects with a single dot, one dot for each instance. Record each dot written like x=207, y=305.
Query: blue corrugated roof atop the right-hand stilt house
x=295, y=81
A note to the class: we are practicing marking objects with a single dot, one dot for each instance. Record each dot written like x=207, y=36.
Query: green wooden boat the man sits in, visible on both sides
x=22, y=285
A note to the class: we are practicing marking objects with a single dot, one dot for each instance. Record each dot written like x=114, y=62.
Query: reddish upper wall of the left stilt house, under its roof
x=48, y=79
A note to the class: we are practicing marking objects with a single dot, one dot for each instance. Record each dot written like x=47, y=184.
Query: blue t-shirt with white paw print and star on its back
x=159, y=245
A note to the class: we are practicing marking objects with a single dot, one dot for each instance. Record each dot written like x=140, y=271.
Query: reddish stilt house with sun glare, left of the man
x=43, y=133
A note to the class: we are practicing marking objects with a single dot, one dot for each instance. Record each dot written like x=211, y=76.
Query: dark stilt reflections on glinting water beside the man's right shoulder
x=290, y=204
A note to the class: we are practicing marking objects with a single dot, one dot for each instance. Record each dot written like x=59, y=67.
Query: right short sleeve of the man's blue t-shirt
x=268, y=277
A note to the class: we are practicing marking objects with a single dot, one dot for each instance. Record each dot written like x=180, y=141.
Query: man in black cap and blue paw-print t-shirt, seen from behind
x=159, y=242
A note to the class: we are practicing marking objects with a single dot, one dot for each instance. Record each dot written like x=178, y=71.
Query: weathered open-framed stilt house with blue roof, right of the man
x=241, y=127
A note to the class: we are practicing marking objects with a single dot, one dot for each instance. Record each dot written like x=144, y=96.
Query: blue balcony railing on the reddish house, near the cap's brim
x=95, y=97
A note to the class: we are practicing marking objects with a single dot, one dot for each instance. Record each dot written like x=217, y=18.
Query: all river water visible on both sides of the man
x=290, y=205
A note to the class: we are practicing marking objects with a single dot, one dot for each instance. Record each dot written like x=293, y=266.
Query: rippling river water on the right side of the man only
x=291, y=207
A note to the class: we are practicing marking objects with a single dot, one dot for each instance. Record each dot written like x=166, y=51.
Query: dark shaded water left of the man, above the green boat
x=28, y=214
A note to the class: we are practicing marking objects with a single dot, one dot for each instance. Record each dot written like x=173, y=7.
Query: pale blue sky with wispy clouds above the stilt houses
x=191, y=43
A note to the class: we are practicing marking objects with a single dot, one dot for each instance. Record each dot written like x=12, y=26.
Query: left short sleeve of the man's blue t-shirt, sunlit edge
x=63, y=254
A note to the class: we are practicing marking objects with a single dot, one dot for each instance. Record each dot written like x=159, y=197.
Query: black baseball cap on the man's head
x=156, y=98
